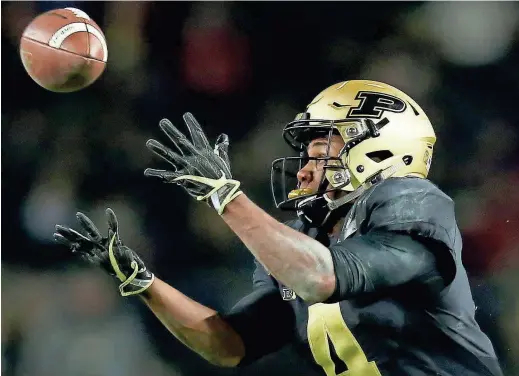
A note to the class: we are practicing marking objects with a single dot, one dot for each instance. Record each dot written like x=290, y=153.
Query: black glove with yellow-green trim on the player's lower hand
x=107, y=252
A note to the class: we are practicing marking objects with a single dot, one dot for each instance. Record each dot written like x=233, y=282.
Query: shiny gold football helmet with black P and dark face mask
x=385, y=132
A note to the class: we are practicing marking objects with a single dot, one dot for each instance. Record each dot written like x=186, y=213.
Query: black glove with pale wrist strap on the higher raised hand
x=204, y=172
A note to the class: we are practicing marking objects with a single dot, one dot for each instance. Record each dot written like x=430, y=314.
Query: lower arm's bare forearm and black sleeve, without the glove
x=260, y=323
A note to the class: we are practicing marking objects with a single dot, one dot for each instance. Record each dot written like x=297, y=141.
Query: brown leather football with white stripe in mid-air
x=63, y=50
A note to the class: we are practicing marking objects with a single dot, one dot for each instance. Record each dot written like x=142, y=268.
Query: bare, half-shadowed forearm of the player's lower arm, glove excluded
x=198, y=327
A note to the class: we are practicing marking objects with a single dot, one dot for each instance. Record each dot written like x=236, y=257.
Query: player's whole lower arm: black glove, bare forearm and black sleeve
x=200, y=328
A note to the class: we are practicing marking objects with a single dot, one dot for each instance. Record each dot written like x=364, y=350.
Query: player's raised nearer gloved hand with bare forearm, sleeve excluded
x=298, y=261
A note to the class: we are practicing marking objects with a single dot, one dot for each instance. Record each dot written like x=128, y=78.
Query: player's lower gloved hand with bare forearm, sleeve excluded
x=198, y=327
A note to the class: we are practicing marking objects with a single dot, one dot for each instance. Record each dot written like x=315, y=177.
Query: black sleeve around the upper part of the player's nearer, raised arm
x=381, y=261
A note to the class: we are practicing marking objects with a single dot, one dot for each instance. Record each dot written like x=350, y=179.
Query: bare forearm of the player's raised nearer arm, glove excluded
x=295, y=259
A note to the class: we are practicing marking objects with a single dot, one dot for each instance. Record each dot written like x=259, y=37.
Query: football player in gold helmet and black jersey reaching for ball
x=366, y=281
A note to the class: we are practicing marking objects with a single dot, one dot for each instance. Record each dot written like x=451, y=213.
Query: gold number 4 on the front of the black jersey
x=325, y=321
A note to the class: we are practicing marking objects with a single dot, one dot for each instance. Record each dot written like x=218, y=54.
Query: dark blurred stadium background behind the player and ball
x=246, y=69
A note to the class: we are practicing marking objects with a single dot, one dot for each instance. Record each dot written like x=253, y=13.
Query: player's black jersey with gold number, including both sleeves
x=402, y=304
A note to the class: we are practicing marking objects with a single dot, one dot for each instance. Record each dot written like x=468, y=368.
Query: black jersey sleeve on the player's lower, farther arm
x=262, y=319
